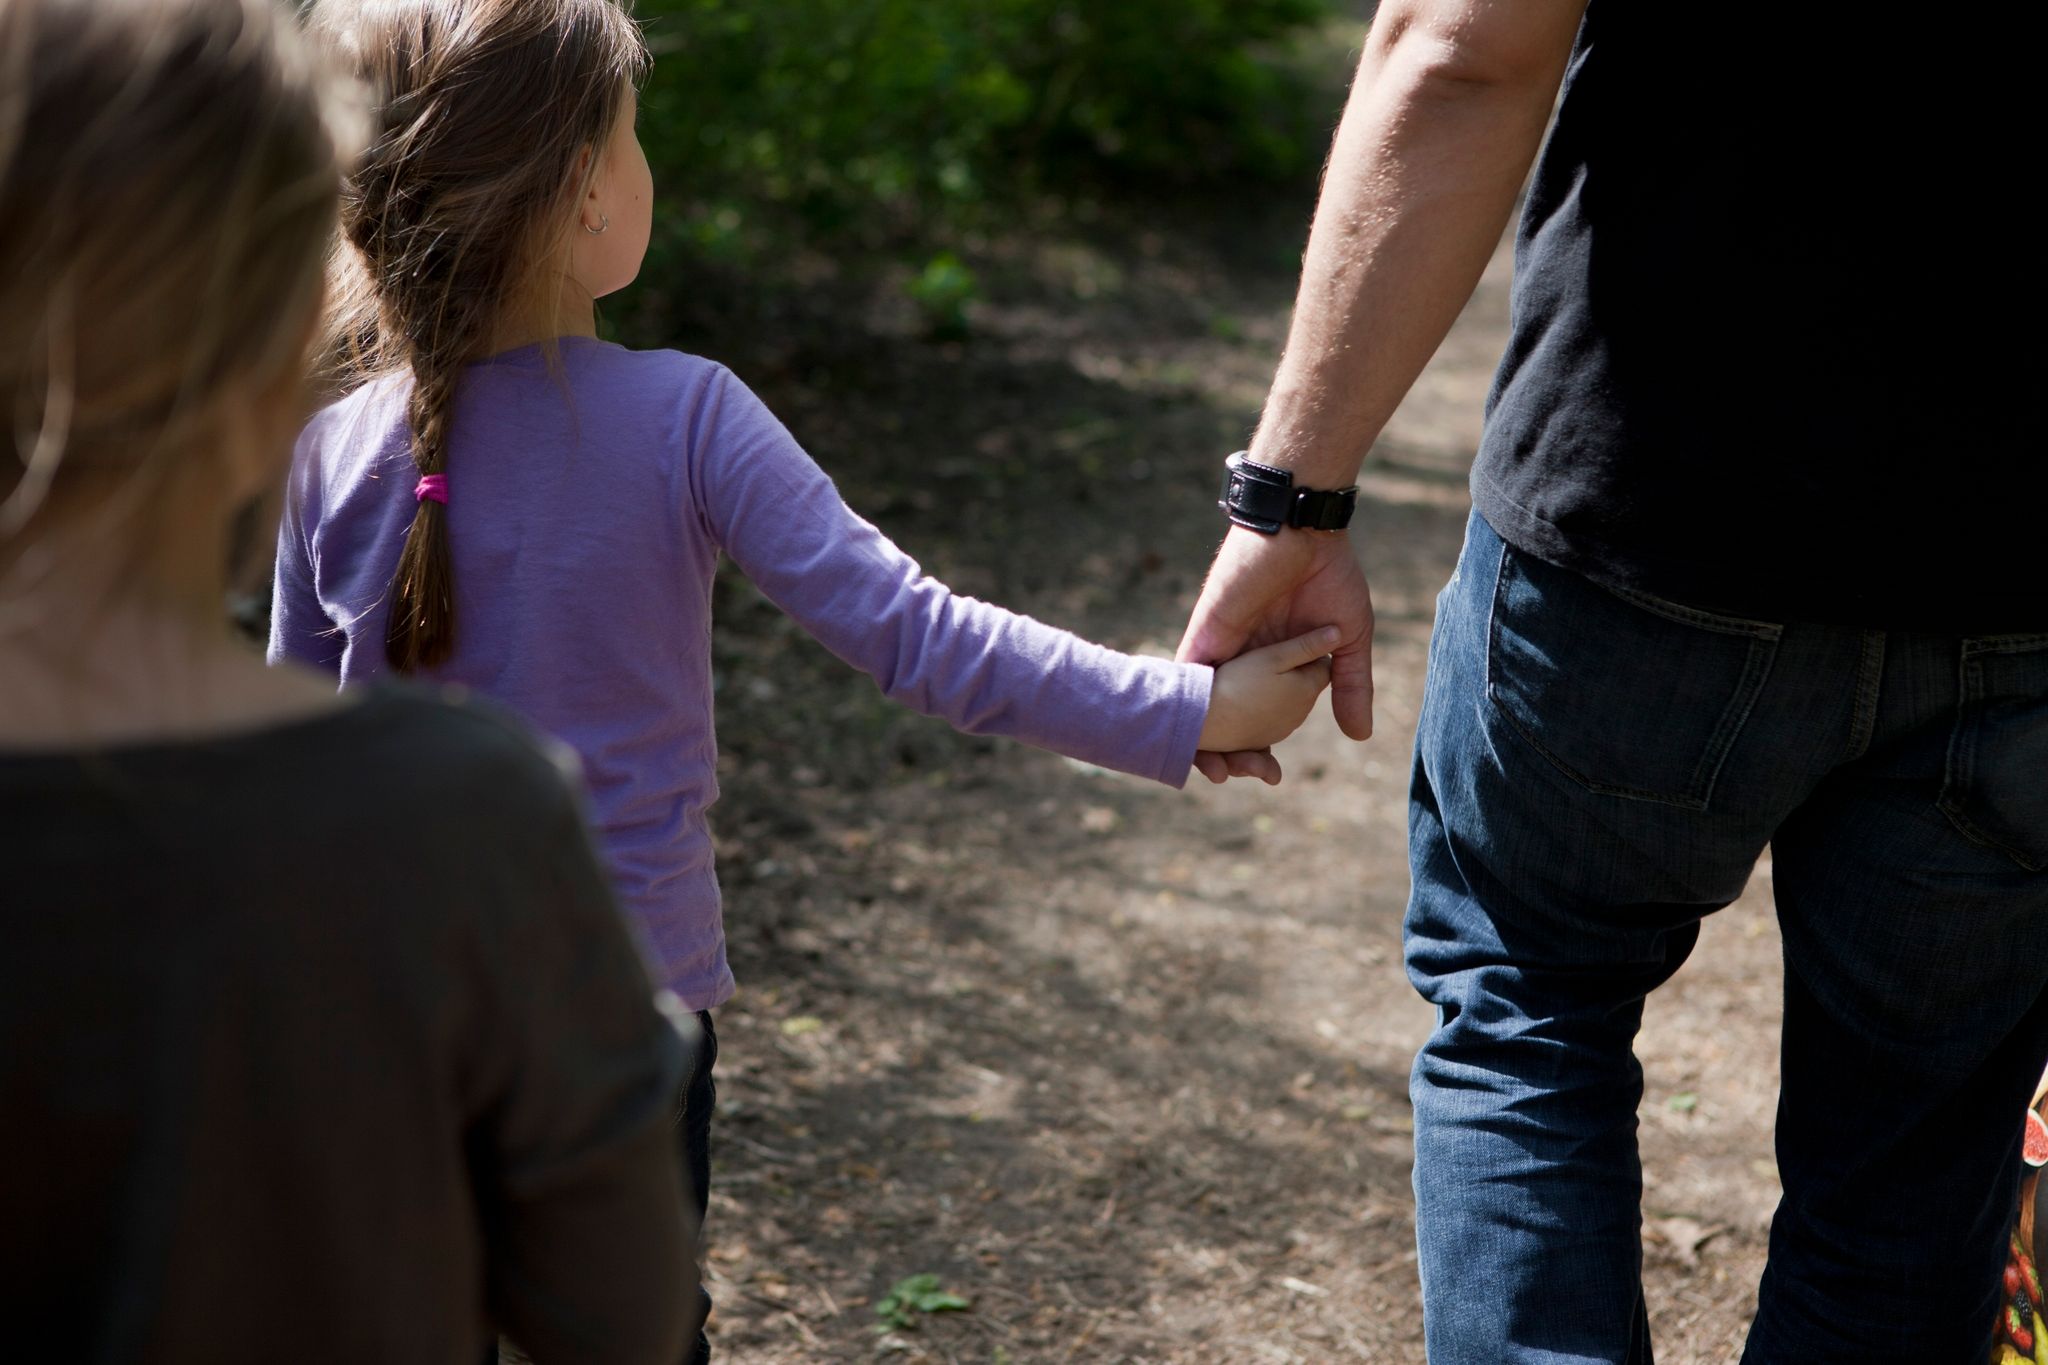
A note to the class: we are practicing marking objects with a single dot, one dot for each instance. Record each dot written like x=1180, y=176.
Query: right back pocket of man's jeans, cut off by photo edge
x=1996, y=789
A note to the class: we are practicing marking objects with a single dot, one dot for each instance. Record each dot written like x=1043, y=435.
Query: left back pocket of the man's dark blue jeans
x=1627, y=695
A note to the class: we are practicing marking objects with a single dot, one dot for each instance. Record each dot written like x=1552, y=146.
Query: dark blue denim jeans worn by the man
x=1598, y=770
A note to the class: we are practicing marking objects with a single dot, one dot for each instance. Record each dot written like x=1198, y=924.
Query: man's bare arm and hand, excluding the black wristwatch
x=1441, y=130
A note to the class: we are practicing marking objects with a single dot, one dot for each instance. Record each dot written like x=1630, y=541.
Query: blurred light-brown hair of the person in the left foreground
x=169, y=177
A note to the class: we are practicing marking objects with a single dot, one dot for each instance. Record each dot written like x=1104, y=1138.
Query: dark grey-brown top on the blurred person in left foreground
x=329, y=1045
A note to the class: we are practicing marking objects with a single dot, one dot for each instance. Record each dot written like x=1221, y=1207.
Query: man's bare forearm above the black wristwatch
x=1433, y=150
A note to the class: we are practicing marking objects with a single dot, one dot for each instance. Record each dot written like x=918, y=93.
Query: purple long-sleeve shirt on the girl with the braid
x=587, y=513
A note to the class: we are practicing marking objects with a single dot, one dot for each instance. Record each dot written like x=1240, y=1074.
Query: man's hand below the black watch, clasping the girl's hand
x=1265, y=590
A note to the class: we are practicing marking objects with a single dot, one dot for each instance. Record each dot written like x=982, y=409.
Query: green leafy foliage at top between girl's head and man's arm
x=884, y=120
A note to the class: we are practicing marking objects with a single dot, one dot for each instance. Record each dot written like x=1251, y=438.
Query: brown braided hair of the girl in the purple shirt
x=482, y=116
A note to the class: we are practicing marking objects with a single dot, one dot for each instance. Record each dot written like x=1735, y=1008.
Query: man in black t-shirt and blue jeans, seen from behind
x=1756, y=562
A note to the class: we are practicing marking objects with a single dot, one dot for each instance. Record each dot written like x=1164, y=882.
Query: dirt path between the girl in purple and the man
x=1123, y=1067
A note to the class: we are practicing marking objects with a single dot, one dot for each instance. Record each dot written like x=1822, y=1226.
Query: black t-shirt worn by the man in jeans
x=1779, y=318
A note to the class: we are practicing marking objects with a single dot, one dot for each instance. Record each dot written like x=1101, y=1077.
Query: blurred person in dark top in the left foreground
x=321, y=1032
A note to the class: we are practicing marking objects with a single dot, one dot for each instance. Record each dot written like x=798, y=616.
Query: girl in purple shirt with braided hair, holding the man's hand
x=511, y=504
